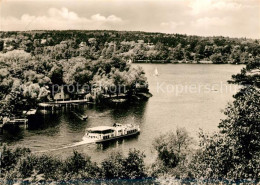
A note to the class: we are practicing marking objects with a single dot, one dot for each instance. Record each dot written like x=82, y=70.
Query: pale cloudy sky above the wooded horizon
x=233, y=18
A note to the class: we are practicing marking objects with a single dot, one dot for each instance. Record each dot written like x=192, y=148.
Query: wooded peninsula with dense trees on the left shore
x=32, y=72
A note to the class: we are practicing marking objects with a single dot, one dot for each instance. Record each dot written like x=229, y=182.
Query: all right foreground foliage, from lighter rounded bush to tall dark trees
x=230, y=155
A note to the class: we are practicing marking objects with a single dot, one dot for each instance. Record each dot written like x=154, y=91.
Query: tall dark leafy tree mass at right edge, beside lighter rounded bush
x=234, y=152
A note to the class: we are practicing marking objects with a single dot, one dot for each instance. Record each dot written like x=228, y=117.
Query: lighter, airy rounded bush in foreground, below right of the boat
x=174, y=152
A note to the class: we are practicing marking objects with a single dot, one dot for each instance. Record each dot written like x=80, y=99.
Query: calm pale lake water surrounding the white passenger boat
x=184, y=95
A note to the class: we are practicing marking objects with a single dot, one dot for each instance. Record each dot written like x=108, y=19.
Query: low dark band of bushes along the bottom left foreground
x=21, y=165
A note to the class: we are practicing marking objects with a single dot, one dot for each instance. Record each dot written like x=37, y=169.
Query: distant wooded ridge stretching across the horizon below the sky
x=134, y=46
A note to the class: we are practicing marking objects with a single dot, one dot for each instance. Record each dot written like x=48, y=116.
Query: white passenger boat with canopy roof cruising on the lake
x=105, y=133
